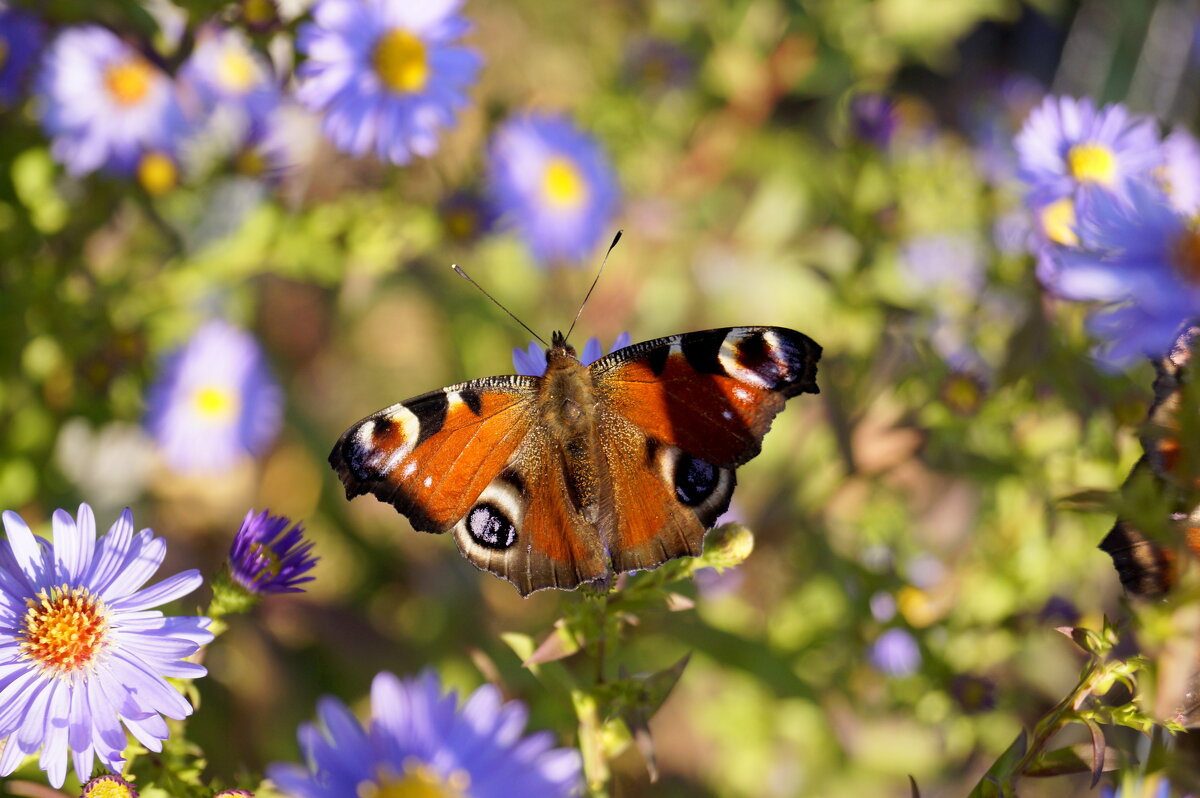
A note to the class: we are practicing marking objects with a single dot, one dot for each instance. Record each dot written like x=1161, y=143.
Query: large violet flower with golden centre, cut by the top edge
x=386, y=74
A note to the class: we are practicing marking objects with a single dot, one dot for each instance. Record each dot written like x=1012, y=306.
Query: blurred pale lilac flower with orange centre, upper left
x=105, y=105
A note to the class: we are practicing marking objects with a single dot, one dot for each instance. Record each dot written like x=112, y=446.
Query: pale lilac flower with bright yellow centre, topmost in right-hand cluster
x=1067, y=145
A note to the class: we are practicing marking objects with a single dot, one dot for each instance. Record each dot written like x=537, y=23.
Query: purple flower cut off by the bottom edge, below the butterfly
x=419, y=742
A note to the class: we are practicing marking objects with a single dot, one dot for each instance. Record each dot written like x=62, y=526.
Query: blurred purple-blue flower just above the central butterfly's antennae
x=555, y=185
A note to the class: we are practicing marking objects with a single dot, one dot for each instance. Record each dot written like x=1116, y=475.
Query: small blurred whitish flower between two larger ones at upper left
x=225, y=75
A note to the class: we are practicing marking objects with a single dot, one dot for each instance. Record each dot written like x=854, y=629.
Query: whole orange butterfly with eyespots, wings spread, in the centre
x=585, y=472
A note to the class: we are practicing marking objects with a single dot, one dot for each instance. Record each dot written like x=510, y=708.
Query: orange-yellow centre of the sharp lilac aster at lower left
x=64, y=631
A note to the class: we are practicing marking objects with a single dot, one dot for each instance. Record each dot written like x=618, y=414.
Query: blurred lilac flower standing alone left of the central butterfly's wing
x=215, y=401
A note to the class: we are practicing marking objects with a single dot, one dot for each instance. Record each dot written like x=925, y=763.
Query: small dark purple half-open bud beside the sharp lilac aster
x=265, y=559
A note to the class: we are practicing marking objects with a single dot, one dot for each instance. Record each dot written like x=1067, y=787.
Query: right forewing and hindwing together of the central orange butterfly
x=677, y=416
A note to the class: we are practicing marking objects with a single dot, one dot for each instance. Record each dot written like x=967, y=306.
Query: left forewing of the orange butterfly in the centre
x=431, y=457
